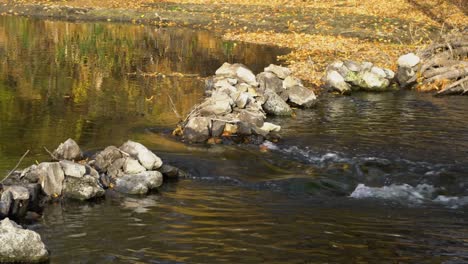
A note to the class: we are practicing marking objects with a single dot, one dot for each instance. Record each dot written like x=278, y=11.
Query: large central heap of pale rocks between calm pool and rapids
x=238, y=103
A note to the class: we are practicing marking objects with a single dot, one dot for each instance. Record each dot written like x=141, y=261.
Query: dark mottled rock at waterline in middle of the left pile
x=84, y=188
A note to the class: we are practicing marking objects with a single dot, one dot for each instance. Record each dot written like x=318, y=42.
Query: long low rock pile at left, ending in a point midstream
x=130, y=169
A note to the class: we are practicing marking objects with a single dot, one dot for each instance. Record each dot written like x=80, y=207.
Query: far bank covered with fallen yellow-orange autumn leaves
x=317, y=33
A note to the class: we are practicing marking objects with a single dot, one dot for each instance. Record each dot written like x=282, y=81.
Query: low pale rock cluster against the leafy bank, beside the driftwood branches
x=347, y=76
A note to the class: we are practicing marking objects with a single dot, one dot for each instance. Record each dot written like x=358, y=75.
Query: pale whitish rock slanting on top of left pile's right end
x=146, y=158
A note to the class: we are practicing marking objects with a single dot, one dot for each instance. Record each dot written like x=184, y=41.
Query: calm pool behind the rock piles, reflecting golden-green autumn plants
x=60, y=80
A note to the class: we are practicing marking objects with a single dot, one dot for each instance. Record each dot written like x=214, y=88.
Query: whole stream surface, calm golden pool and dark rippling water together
x=370, y=178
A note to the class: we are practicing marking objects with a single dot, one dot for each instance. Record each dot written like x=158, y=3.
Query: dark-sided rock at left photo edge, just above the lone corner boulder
x=18, y=199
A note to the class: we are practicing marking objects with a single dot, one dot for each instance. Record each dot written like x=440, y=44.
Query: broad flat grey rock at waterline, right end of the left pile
x=139, y=183
